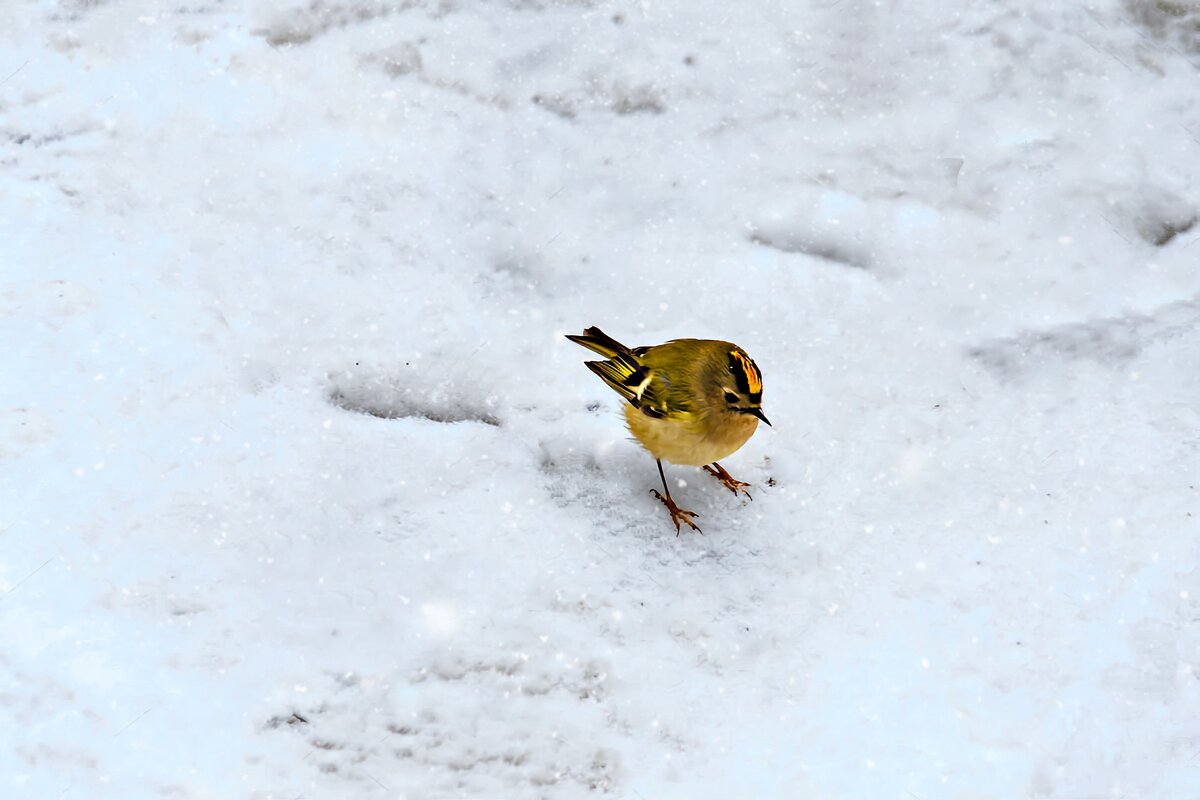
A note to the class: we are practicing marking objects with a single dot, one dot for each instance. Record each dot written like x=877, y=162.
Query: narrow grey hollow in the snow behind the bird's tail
x=392, y=399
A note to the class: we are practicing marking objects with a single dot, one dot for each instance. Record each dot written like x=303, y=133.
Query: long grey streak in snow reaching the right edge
x=1112, y=341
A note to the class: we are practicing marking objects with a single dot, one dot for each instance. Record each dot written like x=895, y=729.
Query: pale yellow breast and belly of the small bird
x=695, y=441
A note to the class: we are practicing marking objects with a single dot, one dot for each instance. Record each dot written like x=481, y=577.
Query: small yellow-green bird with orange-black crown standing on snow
x=691, y=402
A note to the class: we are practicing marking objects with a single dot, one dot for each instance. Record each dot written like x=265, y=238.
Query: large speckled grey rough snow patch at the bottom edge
x=433, y=747
